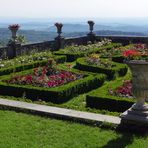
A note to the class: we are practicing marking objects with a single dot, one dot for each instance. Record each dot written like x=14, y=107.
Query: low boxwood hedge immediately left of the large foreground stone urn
x=101, y=99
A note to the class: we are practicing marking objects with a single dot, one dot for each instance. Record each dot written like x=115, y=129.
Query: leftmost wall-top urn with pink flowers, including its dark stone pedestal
x=13, y=45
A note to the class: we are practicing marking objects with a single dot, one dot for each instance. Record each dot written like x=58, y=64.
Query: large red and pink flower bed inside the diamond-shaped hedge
x=47, y=76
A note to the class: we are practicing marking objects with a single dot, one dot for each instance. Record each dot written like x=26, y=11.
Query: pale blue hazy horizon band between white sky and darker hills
x=81, y=20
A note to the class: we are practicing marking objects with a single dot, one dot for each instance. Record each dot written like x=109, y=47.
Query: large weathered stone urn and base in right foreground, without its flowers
x=138, y=113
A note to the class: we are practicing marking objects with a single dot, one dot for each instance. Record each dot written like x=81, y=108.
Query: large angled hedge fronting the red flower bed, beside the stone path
x=57, y=94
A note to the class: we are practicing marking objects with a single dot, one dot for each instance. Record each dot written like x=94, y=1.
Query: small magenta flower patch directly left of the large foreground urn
x=123, y=91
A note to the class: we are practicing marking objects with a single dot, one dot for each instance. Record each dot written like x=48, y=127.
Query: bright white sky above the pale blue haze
x=73, y=8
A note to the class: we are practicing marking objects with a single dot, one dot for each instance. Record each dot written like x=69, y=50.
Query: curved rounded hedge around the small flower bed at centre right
x=119, y=69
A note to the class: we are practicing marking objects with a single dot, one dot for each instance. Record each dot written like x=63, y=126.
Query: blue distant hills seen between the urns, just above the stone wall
x=68, y=31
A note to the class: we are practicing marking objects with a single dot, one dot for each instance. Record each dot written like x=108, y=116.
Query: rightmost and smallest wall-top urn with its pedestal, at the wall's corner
x=91, y=35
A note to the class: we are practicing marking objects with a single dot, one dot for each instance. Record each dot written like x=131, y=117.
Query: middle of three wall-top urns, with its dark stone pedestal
x=59, y=40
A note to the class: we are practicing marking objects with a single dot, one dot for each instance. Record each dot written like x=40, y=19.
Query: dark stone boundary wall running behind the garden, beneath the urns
x=52, y=45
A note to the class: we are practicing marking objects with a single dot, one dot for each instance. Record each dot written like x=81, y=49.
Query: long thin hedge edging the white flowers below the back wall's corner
x=73, y=56
